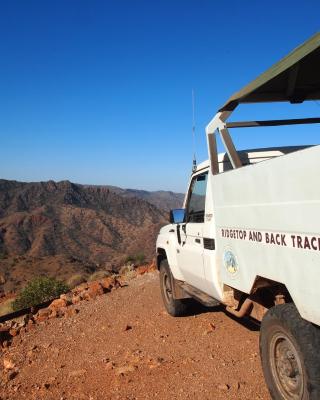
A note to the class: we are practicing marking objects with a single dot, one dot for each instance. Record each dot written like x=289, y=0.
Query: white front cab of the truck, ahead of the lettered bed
x=190, y=241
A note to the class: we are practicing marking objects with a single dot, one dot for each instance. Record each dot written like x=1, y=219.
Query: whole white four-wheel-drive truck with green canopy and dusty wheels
x=248, y=235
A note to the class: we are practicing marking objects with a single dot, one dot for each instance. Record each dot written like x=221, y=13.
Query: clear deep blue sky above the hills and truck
x=100, y=91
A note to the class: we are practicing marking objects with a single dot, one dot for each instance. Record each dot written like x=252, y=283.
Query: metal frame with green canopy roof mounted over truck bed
x=294, y=79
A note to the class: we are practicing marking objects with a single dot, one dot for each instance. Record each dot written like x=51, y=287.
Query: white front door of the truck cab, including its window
x=190, y=251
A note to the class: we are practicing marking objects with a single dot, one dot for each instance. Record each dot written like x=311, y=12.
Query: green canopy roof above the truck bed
x=295, y=78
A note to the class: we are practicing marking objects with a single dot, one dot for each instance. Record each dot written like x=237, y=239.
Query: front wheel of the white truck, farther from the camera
x=174, y=307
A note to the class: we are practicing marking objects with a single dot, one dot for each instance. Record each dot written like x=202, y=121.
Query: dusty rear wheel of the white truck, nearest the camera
x=290, y=354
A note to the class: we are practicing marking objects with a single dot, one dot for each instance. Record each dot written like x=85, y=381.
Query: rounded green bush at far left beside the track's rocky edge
x=38, y=291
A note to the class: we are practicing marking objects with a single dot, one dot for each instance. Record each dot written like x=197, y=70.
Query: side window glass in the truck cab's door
x=197, y=198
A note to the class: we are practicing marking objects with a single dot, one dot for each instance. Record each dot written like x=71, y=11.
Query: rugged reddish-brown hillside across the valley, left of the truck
x=59, y=228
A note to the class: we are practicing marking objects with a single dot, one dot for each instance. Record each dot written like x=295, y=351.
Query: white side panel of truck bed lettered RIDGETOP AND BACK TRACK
x=281, y=195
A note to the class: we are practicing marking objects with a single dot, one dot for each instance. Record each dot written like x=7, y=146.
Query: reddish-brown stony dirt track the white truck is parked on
x=124, y=346
